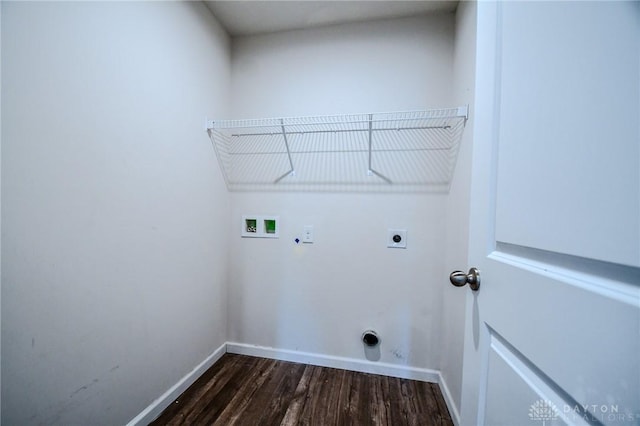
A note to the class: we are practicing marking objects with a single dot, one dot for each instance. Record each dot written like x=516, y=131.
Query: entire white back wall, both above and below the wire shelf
x=320, y=297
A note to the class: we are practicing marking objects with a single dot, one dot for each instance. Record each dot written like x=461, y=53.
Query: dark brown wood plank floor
x=243, y=390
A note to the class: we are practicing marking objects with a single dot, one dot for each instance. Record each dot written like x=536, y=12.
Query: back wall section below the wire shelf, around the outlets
x=320, y=297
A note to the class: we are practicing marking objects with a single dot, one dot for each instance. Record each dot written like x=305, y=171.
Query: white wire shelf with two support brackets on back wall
x=394, y=151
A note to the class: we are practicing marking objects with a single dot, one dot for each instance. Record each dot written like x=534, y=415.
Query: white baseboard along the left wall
x=158, y=406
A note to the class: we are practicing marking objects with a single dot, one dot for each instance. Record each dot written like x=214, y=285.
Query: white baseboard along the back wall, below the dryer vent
x=363, y=366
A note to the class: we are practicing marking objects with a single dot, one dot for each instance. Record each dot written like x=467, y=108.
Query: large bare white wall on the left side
x=113, y=207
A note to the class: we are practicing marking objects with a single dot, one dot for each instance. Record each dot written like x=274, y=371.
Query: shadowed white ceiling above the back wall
x=242, y=18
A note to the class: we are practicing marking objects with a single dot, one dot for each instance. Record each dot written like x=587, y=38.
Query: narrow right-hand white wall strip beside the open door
x=457, y=208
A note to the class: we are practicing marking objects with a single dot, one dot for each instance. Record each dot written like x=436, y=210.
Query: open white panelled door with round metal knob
x=553, y=334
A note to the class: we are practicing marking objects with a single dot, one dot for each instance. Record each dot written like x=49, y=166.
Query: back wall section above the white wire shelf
x=393, y=65
